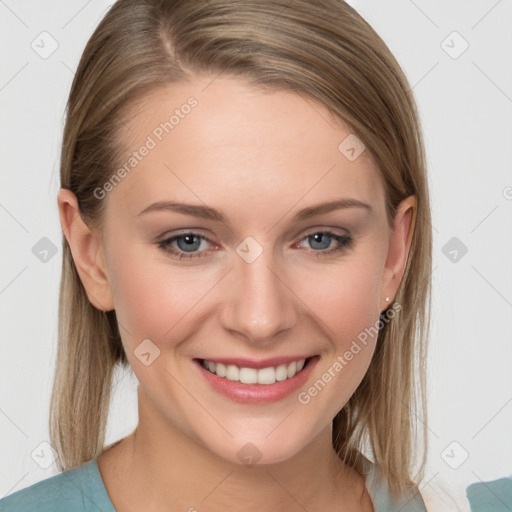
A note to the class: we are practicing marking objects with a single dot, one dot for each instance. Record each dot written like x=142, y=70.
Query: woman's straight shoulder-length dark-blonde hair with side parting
x=324, y=51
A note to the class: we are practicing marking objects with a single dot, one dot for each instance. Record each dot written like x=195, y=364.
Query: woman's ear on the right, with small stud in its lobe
x=398, y=251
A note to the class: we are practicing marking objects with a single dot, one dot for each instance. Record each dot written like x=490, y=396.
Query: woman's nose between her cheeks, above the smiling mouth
x=259, y=303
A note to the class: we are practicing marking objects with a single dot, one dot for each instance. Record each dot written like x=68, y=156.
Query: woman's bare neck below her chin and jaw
x=179, y=472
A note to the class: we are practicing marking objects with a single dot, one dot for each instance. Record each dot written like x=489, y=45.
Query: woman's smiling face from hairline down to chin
x=263, y=282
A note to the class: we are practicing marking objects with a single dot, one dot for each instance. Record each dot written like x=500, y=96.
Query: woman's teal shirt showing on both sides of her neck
x=82, y=489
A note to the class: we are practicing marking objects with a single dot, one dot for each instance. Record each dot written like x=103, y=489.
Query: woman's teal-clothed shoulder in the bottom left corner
x=73, y=490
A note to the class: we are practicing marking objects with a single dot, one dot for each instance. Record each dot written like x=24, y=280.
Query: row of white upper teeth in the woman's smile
x=252, y=375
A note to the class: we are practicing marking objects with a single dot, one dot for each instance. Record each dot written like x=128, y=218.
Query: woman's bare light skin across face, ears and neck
x=259, y=158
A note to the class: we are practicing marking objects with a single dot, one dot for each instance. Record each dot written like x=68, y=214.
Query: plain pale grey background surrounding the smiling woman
x=465, y=101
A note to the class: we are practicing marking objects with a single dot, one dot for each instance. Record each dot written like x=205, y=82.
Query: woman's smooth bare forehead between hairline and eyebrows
x=222, y=141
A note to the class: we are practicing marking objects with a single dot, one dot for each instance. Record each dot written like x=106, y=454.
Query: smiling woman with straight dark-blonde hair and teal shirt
x=246, y=225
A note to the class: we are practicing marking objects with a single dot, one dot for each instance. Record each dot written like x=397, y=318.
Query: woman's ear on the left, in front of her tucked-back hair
x=87, y=251
